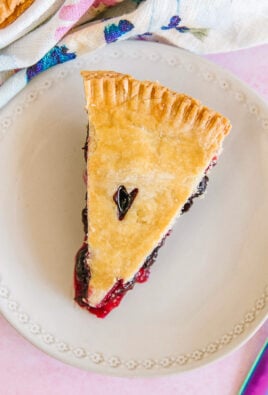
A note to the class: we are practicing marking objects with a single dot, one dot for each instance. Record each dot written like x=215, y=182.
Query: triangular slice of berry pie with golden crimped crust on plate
x=148, y=153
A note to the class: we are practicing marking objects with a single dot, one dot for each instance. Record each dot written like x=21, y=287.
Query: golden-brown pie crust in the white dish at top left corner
x=10, y=10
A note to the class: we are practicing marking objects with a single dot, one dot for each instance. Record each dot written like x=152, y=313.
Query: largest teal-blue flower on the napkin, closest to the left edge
x=55, y=56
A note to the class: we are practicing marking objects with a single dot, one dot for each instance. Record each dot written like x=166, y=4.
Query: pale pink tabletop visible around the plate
x=24, y=370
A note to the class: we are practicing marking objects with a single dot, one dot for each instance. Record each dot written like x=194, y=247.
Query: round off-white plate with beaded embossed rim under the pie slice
x=208, y=289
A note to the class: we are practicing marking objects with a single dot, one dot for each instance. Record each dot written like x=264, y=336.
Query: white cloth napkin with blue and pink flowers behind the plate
x=55, y=31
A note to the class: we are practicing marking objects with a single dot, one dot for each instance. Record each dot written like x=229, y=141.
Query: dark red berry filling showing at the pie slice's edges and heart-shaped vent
x=82, y=275
